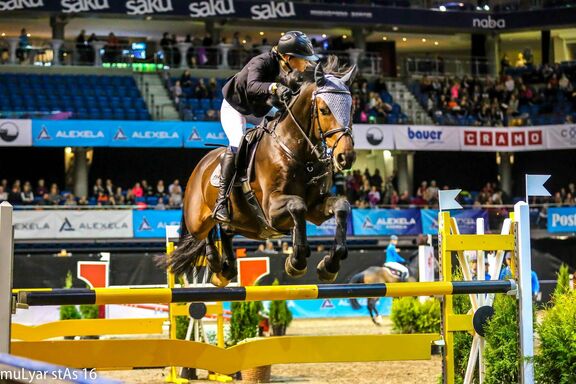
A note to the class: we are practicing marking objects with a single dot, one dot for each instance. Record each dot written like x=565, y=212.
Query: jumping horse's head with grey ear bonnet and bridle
x=332, y=114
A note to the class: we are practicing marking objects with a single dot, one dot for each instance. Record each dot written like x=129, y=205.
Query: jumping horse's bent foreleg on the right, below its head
x=329, y=266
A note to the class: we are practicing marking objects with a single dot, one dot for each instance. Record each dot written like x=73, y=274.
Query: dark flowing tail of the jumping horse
x=185, y=257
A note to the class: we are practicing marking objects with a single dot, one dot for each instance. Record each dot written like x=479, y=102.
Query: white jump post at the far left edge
x=6, y=260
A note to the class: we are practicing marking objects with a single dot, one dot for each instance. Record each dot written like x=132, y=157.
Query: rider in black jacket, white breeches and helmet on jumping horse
x=247, y=95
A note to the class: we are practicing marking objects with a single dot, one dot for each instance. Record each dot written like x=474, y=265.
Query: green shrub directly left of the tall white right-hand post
x=501, y=357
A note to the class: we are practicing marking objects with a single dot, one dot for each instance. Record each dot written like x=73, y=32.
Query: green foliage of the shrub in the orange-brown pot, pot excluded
x=244, y=321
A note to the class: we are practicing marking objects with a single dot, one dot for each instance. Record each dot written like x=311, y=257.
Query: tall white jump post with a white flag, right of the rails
x=522, y=218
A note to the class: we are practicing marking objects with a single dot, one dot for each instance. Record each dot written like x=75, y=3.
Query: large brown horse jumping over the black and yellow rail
x=294, y=161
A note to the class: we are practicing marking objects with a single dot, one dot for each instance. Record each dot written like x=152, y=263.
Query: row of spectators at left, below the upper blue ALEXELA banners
x=106, y=193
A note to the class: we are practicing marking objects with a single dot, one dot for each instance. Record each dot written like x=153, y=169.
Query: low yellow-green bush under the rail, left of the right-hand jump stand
x=409, y=315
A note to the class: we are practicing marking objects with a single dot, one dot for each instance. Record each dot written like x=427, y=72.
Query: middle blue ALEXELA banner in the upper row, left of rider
x=145, y=134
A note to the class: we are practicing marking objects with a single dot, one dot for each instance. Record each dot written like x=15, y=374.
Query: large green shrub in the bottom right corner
x=556, y=357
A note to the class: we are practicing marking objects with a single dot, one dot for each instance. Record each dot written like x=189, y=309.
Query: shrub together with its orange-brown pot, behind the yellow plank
x=244, y=325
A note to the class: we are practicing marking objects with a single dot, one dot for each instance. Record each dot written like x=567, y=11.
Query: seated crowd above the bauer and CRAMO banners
x=522, y=95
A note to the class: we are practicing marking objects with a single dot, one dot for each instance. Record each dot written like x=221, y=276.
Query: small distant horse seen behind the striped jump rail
x=378, y=275
